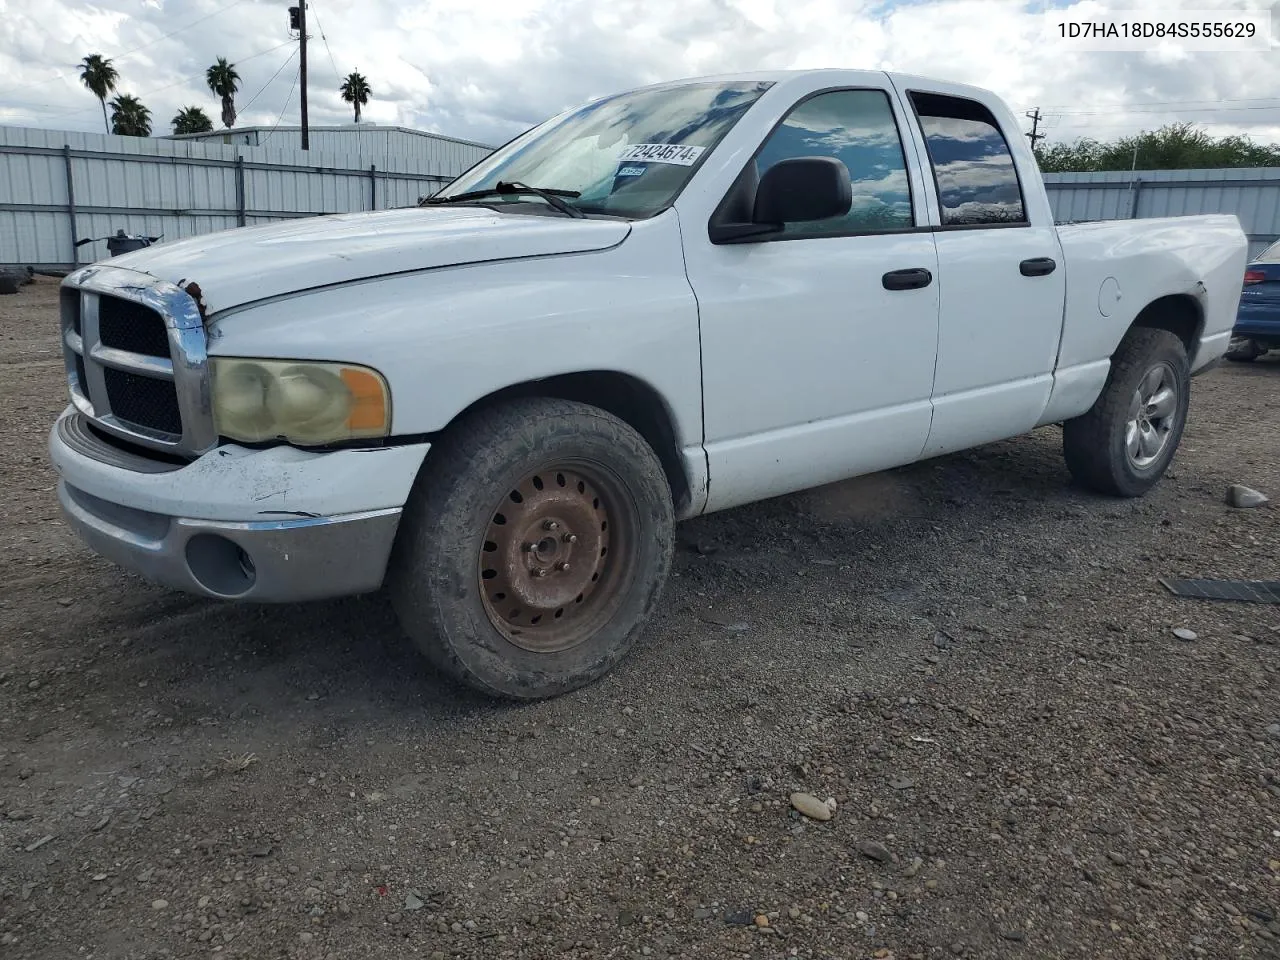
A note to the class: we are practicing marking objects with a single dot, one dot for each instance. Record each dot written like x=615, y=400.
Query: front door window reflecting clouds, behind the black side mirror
x=858, y=129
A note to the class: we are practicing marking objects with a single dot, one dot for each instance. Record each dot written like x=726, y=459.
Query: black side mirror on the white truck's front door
x=792, y=191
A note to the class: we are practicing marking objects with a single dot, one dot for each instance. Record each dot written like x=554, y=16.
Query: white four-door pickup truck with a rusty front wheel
x=659, y=305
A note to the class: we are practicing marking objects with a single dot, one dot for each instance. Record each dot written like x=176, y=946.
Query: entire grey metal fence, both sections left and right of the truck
x=58, y=188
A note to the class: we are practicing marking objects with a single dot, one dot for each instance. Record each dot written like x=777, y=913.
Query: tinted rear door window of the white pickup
x=972, y=163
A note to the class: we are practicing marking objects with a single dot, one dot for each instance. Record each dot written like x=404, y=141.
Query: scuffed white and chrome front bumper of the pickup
x=280, y=525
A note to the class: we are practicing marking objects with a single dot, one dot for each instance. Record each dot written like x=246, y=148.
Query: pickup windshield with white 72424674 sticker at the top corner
x=627, y=156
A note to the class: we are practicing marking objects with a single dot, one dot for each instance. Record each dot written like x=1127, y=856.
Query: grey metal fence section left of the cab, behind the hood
x=58, y=188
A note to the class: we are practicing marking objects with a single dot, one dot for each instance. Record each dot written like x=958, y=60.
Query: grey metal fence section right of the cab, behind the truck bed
x=1252, y=195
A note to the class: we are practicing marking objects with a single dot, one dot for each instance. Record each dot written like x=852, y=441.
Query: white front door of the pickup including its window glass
x=819, y=344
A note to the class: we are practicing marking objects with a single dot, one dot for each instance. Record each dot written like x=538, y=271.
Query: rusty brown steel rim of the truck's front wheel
x=557, y=556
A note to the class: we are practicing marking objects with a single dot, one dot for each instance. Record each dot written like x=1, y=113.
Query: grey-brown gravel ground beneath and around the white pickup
x=970, y=656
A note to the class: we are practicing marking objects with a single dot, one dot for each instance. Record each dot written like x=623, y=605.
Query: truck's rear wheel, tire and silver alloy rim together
x=1127, y=440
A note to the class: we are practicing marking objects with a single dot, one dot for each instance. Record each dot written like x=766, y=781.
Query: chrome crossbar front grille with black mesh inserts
x=136, y=359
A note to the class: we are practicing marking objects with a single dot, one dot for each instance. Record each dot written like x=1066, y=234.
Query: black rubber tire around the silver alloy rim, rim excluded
x=1095, y=444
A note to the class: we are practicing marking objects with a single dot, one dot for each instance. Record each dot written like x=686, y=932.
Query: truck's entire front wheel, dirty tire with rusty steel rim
x=440, y=577
